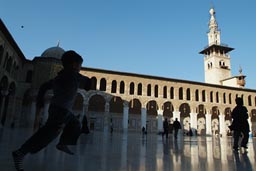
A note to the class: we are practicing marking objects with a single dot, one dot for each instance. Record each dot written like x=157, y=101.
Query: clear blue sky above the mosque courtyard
x=151, y=37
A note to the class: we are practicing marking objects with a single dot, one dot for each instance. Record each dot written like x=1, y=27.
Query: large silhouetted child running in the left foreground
x=60, y=118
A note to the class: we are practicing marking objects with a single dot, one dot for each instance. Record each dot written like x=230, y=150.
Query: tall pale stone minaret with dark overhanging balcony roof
x=216, y=55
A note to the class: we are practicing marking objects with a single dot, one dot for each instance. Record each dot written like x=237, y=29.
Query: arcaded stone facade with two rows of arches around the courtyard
x=130, y=101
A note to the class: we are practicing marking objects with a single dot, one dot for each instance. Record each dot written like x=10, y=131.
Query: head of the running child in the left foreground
x=71, y=60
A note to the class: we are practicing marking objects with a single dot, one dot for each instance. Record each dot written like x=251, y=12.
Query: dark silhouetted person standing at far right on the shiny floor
x=240, y=124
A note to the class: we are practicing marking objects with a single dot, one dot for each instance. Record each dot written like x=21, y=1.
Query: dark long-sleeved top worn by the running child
x=64, y=86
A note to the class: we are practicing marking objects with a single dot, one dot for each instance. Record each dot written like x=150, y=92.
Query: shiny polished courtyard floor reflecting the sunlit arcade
x=131, y=152
